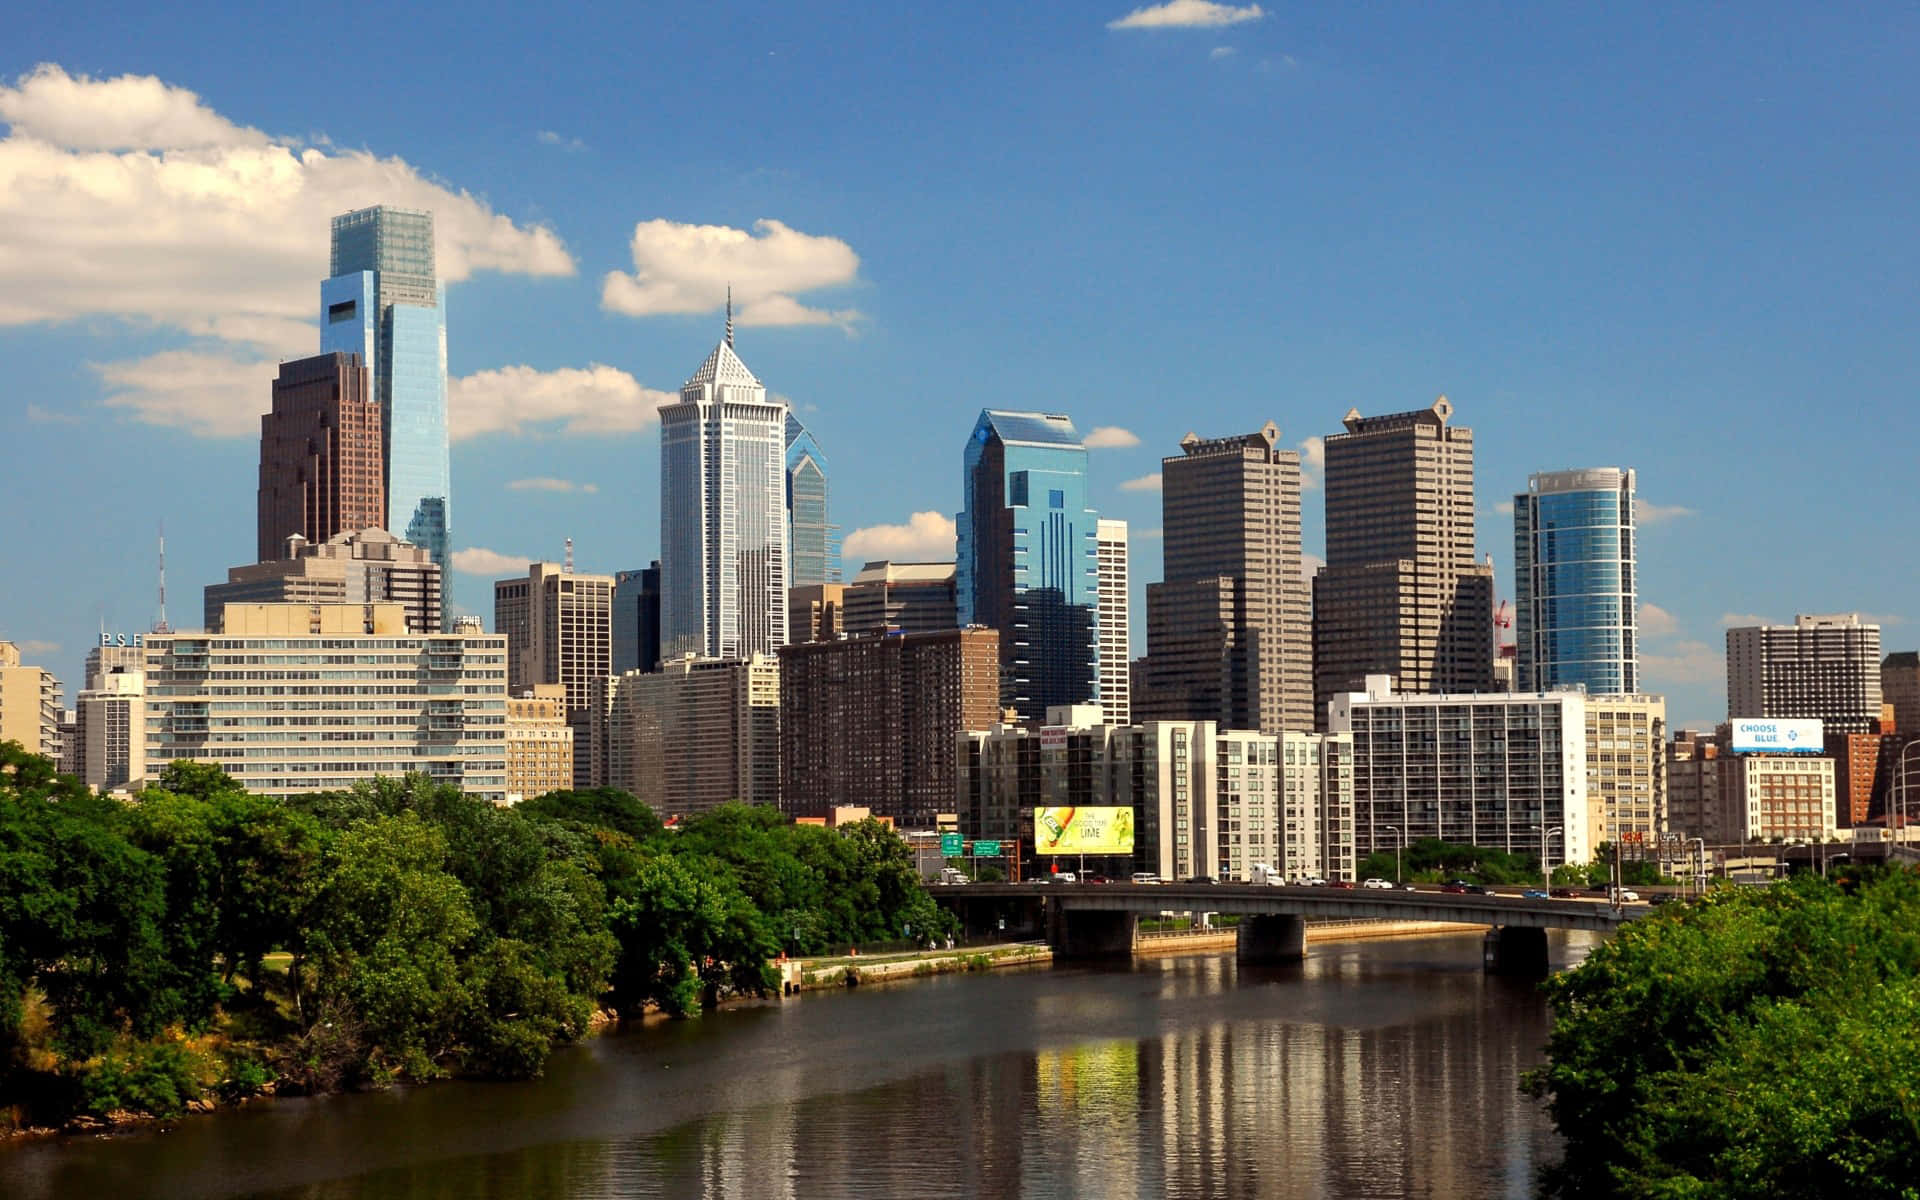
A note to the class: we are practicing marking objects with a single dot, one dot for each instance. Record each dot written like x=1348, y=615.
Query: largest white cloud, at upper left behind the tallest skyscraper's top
x=132, y=199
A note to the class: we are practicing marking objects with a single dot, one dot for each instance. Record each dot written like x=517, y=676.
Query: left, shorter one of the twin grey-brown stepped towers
x=1230, y=633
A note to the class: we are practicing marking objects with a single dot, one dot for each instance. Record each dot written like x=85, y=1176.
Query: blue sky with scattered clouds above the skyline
x=1671, y=241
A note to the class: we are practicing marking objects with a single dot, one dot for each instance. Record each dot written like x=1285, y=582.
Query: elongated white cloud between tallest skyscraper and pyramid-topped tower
x=579, y=400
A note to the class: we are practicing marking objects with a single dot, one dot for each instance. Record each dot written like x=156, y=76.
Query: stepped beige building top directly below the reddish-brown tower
x=364, y=567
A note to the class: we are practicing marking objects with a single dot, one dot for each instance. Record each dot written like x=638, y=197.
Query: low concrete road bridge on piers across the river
x=1099, y=921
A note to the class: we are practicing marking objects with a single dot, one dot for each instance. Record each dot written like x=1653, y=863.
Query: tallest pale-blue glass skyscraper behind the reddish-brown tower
x=385, y=304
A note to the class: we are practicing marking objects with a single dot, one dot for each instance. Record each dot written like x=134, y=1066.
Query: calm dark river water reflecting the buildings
x=1381, y=1068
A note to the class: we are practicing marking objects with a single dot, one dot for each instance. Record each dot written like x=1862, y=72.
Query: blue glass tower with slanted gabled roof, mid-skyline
x=1028, y=558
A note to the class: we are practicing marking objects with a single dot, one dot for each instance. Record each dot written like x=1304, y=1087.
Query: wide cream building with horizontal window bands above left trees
x=316, y=698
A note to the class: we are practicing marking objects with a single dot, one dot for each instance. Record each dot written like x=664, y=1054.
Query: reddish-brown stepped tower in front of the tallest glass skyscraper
x=320, y=454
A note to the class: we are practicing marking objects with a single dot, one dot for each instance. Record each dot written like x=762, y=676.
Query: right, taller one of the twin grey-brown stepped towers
x=1403, y=592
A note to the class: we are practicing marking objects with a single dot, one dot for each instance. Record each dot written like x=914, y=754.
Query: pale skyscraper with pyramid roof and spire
x=723, y=514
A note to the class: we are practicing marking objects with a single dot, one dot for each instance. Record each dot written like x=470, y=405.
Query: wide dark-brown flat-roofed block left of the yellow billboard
x=873, y=721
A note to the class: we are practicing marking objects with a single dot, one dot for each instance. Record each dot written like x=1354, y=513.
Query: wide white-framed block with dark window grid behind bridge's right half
x=1497, y=771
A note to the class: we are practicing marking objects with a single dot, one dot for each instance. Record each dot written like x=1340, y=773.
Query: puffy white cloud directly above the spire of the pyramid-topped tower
x=688, y=270
